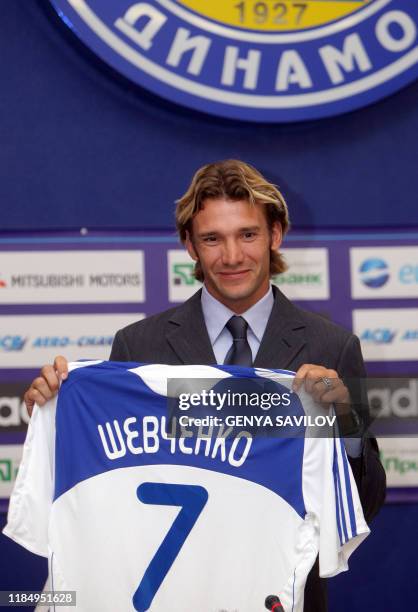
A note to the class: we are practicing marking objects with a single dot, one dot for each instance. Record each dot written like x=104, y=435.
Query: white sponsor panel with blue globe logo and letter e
x=385, y=272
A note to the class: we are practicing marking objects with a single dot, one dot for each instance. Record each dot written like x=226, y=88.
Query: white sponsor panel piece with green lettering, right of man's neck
x=307, y=277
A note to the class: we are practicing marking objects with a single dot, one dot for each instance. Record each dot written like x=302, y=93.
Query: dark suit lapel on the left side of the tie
x=187, y=333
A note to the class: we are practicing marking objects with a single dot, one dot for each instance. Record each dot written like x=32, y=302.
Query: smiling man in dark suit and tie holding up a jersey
x=232, y=222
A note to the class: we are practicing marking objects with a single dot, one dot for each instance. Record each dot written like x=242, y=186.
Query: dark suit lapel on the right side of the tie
x=284, y=337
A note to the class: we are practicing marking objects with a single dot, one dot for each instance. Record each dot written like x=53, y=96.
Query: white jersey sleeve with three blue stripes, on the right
x=331, y=497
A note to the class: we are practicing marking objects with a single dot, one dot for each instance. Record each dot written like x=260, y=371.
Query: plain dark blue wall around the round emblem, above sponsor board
x=83, y=147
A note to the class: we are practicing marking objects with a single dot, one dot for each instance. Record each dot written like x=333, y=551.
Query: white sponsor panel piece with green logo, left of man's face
x=181, y=281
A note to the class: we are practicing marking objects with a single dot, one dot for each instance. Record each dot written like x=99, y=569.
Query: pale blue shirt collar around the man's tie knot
x=216, y=314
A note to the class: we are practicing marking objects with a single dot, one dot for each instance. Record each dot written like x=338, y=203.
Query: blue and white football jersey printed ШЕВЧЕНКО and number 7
x=133, y=516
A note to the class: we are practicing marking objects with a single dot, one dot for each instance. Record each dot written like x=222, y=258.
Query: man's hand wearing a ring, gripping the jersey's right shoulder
x=324, y=385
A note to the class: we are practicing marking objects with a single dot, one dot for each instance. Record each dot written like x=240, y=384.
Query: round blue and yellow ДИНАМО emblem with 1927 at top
x=255, y=60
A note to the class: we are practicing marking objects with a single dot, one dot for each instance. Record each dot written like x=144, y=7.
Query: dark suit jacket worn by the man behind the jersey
x=292, y=337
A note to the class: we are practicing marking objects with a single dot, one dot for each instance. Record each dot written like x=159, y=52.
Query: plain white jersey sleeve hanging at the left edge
x=32, y=496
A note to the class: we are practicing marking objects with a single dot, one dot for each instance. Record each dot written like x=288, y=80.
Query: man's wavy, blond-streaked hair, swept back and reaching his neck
x=233, y=180
